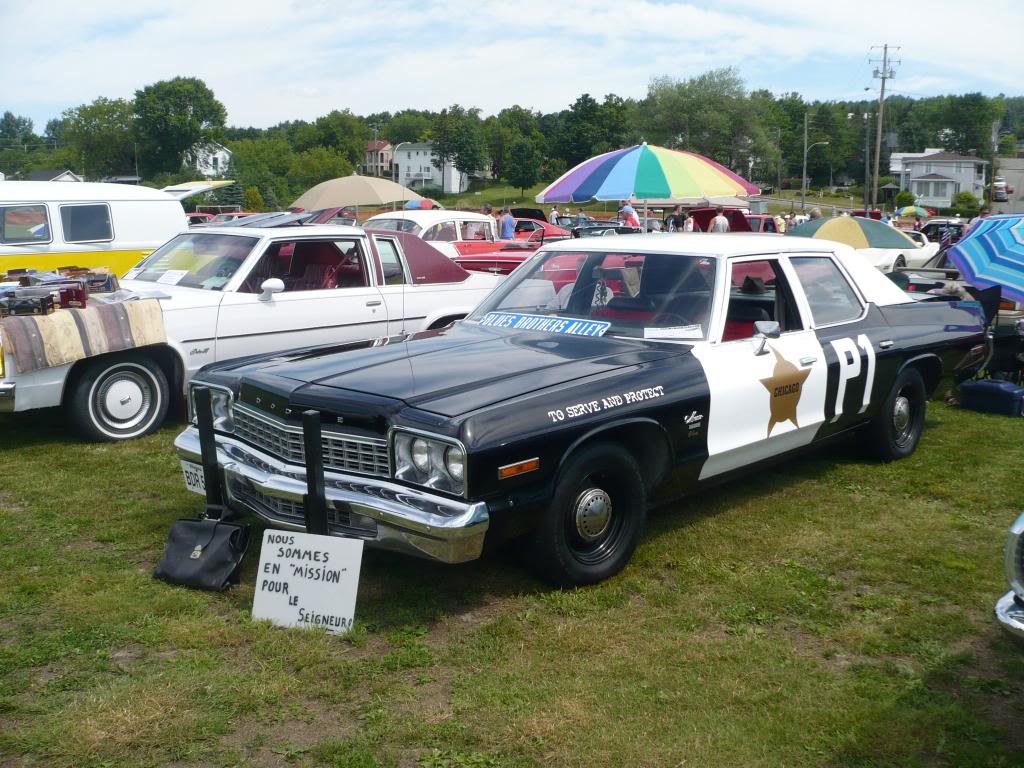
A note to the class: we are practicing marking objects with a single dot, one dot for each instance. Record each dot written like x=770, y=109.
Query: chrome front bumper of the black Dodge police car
x=382, y=514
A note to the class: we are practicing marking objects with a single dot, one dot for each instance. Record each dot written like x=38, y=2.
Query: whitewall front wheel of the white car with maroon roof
x=118, y=398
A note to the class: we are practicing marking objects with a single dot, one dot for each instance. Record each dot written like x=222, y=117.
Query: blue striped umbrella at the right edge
x=993, y=254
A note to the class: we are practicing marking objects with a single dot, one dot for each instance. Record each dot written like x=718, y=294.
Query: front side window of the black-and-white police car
x=759, y=291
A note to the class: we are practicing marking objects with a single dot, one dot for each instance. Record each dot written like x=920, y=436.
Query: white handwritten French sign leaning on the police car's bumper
x=308, y=581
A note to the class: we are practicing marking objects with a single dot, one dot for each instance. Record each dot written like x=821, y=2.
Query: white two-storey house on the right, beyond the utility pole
x=935, y=178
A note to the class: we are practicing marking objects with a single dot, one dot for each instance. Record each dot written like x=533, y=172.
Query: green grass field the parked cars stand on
x=829, y=612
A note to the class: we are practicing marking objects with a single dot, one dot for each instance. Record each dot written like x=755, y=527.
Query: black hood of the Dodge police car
x=454, y=371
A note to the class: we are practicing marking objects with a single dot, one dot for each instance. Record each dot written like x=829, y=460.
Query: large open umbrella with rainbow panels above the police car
x=645, y=173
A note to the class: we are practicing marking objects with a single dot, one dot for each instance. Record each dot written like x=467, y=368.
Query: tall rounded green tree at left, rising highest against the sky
x=174, y=116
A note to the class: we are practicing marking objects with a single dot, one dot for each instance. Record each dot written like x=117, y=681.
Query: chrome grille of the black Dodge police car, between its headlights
x=343, y=452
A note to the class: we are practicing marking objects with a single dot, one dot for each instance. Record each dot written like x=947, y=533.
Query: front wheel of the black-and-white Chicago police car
x=595, y=518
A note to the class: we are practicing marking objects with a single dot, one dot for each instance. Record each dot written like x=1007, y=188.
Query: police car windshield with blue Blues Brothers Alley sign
x=619, y=293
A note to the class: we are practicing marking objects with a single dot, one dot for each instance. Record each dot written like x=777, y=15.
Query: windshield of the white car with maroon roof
x=195, y=261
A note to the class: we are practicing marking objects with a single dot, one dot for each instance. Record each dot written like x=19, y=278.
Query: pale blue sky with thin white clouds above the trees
x=270, y=62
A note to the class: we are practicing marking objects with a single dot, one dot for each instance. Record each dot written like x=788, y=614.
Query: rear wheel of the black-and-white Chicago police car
x=895, y=431
